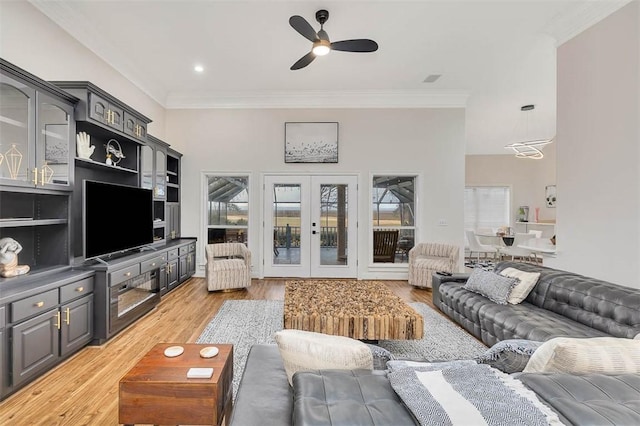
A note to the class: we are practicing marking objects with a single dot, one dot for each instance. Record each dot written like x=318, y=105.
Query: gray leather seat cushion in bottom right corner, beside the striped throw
x=592, y=399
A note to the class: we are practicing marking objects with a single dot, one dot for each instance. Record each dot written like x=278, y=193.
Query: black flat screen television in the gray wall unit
x=116, y=218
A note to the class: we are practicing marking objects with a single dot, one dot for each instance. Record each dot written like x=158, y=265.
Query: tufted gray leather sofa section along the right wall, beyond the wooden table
x=561, y=304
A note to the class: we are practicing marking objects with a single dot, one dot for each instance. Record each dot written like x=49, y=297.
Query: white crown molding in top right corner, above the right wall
x=568, y=24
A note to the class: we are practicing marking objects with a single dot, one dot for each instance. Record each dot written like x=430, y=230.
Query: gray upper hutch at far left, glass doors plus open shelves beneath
x=36, y=127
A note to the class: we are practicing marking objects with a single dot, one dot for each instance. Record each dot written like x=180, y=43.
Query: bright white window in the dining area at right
x=486, y=207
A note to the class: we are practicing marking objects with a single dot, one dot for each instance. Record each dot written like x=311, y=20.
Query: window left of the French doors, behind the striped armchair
x=227, y=208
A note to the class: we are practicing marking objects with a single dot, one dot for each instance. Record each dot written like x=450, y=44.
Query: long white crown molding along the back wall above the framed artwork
x=318, y=99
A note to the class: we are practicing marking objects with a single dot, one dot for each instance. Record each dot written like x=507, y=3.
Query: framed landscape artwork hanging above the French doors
x=311, y=142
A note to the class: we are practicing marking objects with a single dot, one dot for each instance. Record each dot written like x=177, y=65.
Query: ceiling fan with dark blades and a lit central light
x=321, y=44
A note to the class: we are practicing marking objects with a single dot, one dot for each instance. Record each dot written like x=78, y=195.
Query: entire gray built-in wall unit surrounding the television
x=65, y=302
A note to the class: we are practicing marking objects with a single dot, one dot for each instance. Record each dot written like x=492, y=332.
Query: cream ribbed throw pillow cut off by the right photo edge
x=605, y=355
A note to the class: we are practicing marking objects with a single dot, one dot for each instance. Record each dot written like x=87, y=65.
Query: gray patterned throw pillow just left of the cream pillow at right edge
x=509, y=356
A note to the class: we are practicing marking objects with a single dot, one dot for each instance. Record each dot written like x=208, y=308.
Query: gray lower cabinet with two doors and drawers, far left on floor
x=44, y=324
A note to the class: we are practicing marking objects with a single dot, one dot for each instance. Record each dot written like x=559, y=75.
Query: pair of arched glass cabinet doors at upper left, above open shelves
x=36, y=131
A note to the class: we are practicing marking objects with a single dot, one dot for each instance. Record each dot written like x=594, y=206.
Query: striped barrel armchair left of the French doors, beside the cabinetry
x=228, y=266
